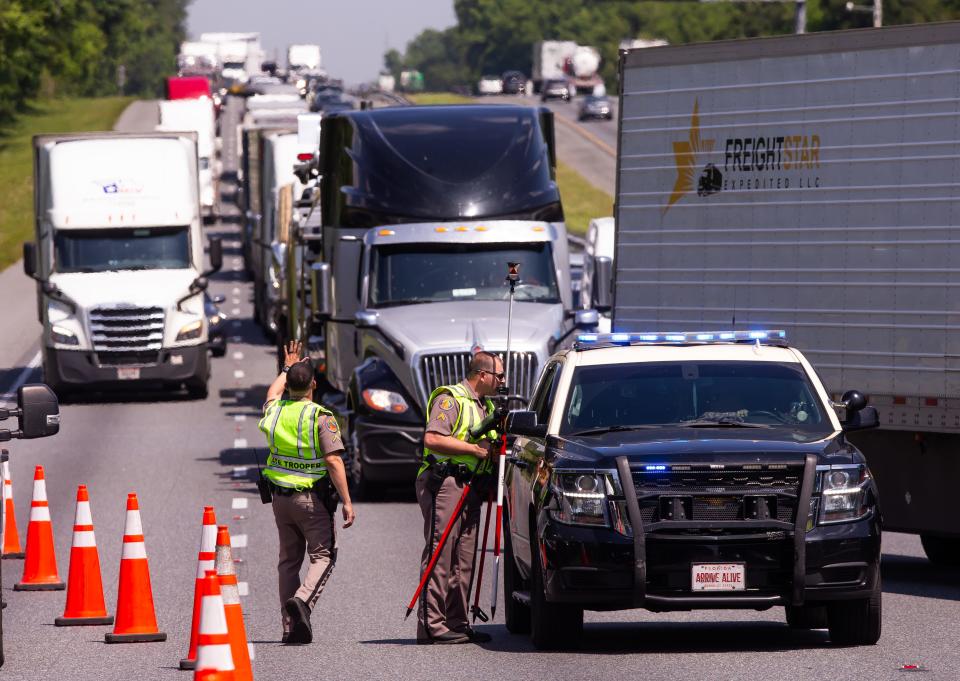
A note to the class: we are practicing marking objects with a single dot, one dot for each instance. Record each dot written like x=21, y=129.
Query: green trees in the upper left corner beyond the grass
x=86, y=48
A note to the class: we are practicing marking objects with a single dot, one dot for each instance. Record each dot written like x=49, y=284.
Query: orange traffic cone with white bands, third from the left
x=84, y=587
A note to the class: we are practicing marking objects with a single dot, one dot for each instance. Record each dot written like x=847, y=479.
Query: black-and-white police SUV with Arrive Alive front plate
x=689, y=471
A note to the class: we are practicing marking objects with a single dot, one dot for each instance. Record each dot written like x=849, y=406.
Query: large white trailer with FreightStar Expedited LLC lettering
x=810, y=183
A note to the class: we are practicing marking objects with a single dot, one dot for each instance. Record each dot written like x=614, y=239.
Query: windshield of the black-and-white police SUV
x=695, y=395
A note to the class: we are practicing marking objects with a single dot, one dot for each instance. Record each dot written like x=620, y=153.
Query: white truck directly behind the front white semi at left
x=197, y=115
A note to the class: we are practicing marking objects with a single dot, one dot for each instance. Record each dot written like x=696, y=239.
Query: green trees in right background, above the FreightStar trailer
x=493, y=36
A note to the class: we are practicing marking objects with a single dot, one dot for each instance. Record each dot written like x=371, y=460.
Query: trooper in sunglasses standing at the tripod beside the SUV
x=450, y=459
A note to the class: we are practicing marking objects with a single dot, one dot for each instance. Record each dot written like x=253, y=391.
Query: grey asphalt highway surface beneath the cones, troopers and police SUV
x=179, y=454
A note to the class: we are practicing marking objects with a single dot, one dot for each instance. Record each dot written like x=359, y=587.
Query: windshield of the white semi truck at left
x=103, y=250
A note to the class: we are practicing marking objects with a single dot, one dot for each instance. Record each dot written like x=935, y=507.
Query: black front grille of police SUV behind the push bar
x=730, y=494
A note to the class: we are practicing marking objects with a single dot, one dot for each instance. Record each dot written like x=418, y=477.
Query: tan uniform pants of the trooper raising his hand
x=304, y=526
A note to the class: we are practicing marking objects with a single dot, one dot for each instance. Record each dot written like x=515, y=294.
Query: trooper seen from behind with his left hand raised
x=306, y=476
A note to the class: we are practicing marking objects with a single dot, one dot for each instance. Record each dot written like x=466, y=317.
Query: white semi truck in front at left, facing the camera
x=118, y=260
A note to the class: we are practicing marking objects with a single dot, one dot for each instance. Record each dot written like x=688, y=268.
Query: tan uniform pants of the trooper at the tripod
x=443, y=604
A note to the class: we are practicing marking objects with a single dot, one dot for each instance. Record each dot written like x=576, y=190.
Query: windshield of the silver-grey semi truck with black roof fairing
x=418, y=273
